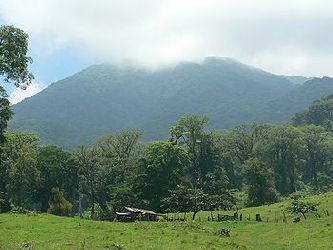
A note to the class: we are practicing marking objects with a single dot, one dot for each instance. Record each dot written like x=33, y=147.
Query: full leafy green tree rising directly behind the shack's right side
x=162, y=169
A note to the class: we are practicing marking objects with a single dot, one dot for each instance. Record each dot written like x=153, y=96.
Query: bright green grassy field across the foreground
x=42, y=231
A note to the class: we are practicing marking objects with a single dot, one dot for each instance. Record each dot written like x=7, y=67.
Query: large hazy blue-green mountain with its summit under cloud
x=104, y=98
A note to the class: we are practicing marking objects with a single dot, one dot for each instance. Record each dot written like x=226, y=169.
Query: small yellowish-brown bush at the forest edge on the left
x=58, y=205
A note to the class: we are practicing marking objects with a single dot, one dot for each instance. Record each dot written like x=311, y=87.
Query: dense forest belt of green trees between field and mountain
x=194, y=169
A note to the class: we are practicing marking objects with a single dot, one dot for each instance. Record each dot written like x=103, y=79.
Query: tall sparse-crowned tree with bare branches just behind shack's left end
x=118, y=155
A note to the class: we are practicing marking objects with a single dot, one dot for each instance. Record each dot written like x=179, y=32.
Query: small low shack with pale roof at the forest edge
x=129, y=214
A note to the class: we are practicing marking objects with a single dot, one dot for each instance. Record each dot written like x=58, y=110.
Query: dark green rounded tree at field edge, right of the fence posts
x=261, y=183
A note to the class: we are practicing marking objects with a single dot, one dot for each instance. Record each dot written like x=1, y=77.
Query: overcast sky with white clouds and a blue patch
x=292, y=37
